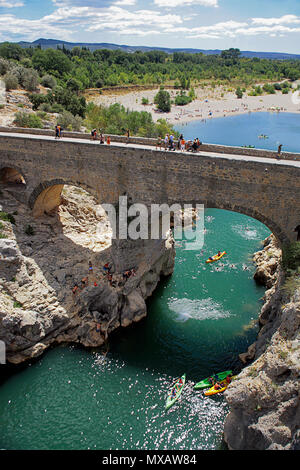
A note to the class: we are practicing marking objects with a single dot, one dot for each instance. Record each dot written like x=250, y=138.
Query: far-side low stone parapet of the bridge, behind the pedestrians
x=144, y=141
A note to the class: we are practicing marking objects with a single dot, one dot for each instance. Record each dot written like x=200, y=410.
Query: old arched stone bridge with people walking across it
x=248, y=181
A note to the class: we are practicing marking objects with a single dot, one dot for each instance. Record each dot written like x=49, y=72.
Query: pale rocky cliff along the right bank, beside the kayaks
x=264, y=400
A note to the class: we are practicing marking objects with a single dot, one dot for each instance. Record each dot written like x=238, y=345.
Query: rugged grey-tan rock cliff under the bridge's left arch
x=53, y=287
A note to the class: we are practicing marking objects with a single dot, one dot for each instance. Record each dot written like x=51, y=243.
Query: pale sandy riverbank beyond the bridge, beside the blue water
x=210, y=103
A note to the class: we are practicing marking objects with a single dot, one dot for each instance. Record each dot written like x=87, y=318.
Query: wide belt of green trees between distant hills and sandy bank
x=105, y=67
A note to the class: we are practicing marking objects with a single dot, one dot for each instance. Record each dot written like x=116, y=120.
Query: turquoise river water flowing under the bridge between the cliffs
x=199, y=320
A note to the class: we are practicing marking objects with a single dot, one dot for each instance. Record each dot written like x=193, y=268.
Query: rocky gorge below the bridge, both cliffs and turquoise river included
x=200, y=320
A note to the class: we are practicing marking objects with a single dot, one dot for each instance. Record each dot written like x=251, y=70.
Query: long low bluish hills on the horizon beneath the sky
x=53, y=43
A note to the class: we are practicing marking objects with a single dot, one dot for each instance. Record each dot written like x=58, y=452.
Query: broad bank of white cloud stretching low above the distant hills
x=71, y=18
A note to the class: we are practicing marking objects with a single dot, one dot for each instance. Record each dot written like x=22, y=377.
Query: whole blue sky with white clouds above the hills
x=257, y=25
